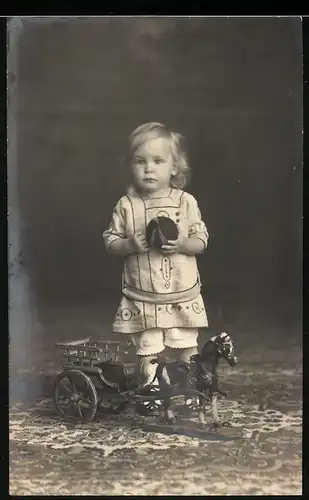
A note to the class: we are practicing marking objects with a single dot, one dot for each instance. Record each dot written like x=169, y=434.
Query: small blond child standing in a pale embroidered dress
x=161, y=304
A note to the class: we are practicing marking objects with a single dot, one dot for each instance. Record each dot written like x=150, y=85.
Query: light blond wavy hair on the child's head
x=154, y=130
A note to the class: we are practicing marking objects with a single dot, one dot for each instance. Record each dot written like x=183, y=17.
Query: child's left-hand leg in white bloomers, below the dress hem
x=148, y=345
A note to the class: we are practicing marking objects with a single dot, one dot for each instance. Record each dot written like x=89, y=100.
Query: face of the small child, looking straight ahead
x=152, y=166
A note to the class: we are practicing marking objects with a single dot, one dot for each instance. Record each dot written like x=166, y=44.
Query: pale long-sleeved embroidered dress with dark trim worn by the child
x=159, y=291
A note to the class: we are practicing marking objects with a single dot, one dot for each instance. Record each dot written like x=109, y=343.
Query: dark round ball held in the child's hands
x=160, y=230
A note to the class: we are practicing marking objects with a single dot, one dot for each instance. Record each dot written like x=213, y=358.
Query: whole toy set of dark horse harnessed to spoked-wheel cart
x=93, y=382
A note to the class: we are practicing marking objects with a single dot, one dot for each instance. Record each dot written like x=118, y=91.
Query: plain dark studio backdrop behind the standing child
x=231, y=86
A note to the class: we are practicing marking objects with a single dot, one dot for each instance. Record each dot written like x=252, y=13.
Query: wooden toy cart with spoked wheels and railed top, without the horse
x=92, y=382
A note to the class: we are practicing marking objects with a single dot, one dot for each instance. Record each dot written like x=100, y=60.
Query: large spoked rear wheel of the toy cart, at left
x=75, y=396
